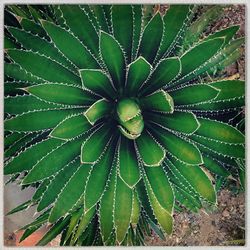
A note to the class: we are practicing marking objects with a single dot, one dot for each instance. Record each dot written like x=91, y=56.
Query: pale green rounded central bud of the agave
x=130, y=118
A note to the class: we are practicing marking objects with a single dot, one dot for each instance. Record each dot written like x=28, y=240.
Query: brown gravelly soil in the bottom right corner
x=223, y=227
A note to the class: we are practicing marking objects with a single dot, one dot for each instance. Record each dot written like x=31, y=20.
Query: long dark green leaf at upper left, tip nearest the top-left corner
x=40, y=45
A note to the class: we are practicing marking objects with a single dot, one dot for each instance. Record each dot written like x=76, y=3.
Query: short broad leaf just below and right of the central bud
x=150, y=151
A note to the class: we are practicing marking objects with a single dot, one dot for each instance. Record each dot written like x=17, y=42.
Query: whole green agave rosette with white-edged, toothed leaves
x=112, y=115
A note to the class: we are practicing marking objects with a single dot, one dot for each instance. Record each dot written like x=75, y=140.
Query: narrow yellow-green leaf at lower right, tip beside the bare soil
x=163, y=217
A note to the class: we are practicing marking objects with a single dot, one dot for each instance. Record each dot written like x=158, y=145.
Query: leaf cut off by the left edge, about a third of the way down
x=15, y=71
